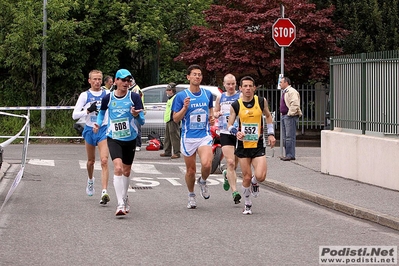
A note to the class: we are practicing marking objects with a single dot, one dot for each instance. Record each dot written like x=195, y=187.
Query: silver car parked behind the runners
x=155, y=101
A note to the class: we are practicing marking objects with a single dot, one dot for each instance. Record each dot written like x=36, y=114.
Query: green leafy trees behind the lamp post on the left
x=86, y=35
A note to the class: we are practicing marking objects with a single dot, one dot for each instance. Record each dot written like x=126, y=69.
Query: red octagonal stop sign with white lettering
x=283, y=32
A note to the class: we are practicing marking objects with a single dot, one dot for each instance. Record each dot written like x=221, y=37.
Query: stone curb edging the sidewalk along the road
x=346, y=208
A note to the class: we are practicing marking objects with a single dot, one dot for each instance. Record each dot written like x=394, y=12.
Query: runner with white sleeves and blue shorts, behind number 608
x=87, y=106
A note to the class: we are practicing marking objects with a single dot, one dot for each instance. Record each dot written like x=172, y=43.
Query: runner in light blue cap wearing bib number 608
x=124, y=107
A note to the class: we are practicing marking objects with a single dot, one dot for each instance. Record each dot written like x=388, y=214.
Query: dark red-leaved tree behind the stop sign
x=238, y=39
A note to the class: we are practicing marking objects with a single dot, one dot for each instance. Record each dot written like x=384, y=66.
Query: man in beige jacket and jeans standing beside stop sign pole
x=290, y=112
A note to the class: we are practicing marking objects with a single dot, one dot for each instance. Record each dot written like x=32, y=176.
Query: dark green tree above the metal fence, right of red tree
x=372, y=24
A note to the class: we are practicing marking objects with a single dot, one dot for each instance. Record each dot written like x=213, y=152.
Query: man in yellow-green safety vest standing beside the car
x=172, y=129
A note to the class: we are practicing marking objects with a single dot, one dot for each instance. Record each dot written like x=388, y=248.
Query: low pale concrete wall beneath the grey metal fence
x=368, y=159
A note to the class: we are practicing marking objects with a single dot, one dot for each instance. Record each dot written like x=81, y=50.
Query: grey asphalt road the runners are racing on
x=49, y=220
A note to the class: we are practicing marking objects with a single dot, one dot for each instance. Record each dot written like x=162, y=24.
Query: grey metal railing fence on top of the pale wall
x=364, y=92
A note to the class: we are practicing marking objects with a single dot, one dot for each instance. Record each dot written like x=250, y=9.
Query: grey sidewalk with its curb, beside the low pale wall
x=302, y=178
